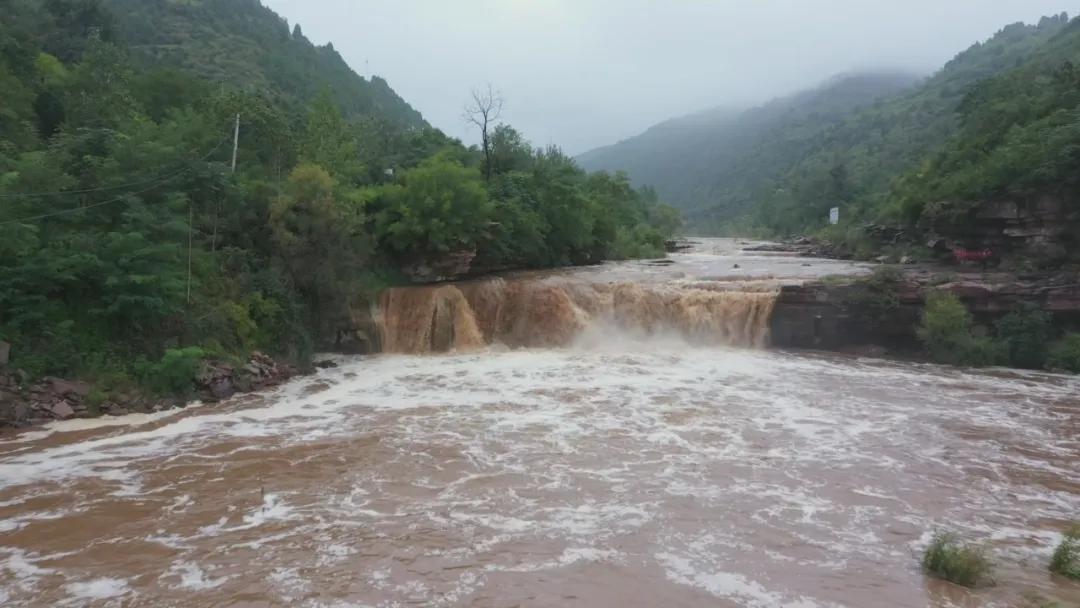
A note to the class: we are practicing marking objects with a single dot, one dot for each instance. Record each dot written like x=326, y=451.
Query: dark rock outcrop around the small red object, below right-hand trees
x=1045, y=228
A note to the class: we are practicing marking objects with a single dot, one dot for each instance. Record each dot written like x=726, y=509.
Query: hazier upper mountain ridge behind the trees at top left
x=248, y=46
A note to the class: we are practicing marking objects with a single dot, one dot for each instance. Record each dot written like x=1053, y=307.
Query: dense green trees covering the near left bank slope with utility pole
x=130, y=250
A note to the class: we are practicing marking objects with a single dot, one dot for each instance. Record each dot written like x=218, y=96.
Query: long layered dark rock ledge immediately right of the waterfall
x=846, y=316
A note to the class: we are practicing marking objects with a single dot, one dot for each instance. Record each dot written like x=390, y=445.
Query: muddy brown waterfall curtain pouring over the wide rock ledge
x=556, y=312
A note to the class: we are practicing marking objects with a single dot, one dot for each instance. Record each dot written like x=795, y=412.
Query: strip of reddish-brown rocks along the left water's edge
x=26, y=403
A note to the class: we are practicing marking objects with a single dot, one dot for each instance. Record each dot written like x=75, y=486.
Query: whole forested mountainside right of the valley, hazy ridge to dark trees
x=1001, y=119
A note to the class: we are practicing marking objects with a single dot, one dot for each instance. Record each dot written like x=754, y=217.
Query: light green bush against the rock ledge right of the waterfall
x=947, y=332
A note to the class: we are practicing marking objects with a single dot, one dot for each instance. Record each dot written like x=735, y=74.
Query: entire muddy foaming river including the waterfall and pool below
x=609, y=437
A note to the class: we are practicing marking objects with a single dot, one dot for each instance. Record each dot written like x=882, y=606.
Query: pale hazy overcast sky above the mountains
x=584, y=74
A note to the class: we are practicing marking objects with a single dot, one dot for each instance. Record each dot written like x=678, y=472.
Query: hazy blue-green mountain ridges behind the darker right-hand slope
x=784, y=165
